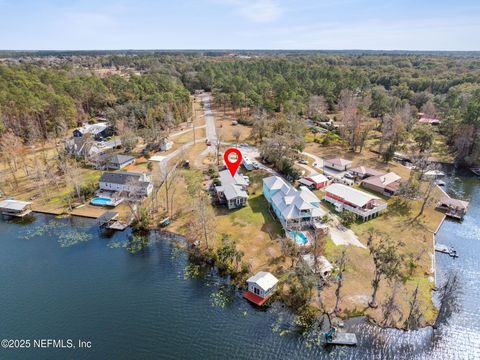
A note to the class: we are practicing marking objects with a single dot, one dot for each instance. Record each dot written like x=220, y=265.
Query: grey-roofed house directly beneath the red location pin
x=232, y=190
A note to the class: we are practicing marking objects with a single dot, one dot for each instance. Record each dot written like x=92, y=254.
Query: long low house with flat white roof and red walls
x=362, y=204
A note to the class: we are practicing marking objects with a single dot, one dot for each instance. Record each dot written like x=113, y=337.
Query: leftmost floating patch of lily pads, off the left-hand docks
x=65, y=234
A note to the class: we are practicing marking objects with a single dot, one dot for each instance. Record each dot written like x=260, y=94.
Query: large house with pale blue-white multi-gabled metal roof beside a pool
x=295, y=209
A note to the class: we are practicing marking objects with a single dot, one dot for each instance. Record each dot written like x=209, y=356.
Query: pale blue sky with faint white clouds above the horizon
x=240, y=24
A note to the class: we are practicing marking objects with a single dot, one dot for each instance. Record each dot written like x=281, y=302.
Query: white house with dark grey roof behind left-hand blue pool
x=131, y=184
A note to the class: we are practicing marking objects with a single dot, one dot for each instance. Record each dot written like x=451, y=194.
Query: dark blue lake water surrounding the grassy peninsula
x=58, y=284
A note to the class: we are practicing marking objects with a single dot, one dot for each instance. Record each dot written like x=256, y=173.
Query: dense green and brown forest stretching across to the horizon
x=43, y=96
